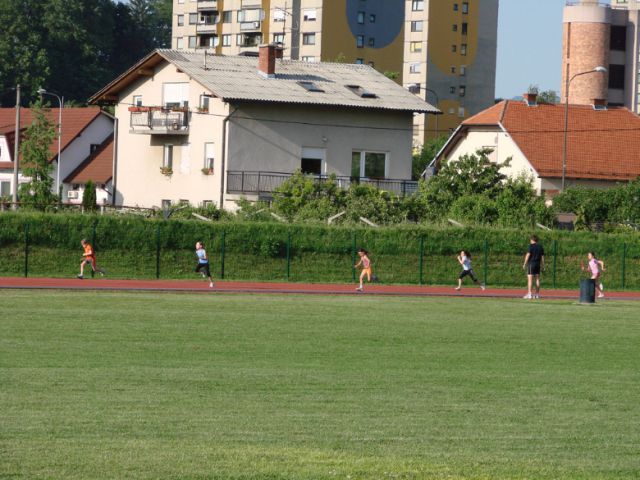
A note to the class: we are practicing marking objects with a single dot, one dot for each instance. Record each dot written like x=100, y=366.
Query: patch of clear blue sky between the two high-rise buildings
x=529, y=46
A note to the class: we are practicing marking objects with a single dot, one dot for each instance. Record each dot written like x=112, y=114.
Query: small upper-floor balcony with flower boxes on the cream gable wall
x=159, y=121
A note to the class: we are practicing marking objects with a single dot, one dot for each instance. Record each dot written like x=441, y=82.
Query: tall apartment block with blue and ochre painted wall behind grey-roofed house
x=442, y=50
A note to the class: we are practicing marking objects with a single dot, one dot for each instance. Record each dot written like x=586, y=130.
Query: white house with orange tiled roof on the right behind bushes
x=603, y=145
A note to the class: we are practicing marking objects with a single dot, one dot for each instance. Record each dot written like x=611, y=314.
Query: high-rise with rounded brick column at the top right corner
x=598, y=34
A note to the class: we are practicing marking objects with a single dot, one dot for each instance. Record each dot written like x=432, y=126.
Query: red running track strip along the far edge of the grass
x=105, y=284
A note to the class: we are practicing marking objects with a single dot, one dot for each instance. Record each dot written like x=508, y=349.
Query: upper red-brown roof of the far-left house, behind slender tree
x=74, y=121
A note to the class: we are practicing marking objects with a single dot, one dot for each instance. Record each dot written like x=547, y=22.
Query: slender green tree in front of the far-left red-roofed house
x=35, y=148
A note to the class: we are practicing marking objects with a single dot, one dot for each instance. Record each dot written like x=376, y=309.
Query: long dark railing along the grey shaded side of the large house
x=267, y=182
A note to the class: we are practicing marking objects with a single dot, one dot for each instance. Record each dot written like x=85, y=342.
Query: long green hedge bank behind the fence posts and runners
x=43, y=245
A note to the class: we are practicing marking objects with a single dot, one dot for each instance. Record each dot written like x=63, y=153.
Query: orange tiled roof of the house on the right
x=601, y=144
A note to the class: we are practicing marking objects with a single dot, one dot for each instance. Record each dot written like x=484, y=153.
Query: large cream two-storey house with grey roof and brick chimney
x=208, y=129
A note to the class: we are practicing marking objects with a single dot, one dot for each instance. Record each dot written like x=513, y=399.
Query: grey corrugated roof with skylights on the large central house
x=236, y=78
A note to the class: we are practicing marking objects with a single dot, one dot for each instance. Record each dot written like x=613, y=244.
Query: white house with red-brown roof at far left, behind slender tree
x=84, y=130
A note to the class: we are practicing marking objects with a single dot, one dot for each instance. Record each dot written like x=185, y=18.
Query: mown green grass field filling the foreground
x=212, y=386
